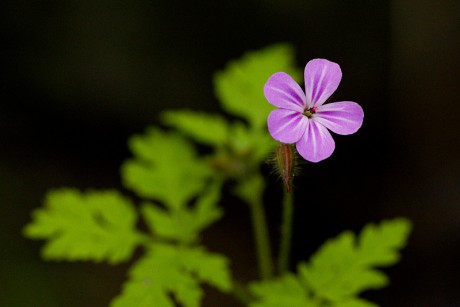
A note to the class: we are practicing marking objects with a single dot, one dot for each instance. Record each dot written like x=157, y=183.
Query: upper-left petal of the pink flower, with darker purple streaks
x=282, y=91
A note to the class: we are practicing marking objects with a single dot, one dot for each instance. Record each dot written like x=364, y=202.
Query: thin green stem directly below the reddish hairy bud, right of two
x=286, y=233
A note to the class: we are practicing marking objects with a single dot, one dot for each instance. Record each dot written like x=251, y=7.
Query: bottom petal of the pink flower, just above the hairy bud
x=316, y=144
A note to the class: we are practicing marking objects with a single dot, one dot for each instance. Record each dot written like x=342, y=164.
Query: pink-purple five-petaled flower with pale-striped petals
x=302, y=118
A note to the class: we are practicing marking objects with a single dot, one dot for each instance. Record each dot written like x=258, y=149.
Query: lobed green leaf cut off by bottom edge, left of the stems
x=170, y=270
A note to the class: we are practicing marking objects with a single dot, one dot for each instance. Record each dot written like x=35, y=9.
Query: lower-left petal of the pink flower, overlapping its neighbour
x=286, y=126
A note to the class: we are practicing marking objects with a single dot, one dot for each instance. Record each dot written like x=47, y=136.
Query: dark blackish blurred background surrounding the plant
x=80, y=76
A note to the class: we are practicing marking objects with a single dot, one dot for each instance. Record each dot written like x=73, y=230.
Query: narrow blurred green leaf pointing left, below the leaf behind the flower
x=204, y=128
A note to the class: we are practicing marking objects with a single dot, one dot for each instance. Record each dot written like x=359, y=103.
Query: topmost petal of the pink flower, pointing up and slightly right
x=322, y=78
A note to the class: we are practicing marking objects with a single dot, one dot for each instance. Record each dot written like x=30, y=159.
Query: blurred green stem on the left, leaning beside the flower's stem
x=261, y=238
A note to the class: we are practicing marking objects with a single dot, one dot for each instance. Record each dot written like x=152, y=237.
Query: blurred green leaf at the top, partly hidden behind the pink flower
x=240, y=86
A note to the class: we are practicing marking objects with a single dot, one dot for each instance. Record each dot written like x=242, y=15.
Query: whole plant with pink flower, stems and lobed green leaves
x=182, y=191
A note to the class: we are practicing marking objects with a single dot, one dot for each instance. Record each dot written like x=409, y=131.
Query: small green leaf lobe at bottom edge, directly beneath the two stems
x=285, y=291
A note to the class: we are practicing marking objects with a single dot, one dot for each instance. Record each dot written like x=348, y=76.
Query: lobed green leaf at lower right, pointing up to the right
x=342, y=268
